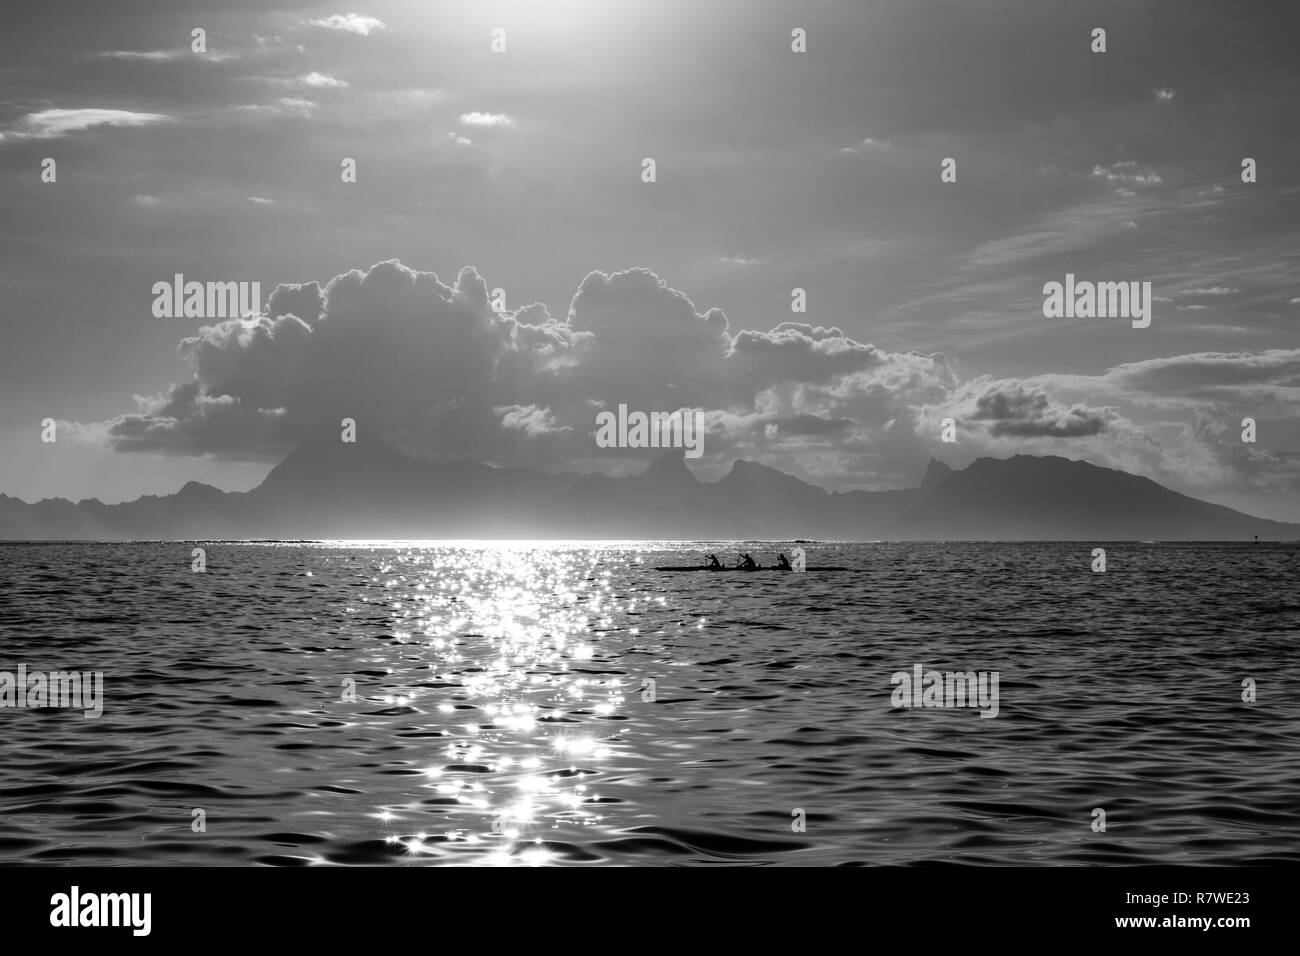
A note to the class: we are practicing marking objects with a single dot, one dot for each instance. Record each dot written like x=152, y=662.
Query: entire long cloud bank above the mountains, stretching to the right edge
x=436, y=370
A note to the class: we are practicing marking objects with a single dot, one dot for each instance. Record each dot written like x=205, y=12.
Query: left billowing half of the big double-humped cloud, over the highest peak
x=389, y=347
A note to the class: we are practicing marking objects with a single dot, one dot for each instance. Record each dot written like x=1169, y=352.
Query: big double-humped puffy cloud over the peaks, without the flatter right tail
x=437, y=370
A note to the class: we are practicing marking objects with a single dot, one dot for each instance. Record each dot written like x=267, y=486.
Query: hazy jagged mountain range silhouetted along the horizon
x=370, y=490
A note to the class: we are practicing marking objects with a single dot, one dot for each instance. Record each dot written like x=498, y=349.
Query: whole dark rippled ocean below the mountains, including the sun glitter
x=564, y=704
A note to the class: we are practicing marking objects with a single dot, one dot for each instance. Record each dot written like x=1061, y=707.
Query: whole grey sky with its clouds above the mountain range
x=522, y=170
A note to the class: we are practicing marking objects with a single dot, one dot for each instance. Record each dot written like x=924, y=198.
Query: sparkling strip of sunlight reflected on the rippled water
x=496, y=657
